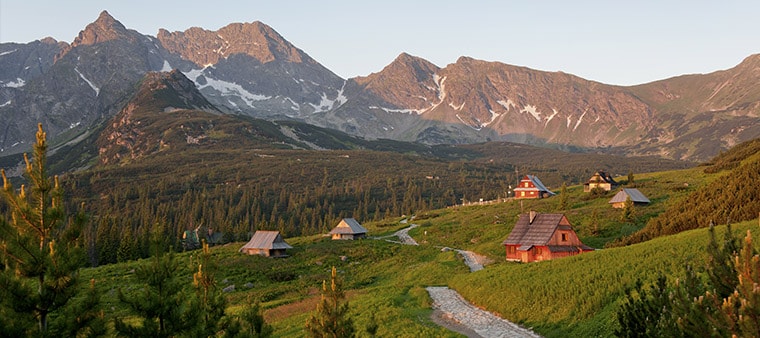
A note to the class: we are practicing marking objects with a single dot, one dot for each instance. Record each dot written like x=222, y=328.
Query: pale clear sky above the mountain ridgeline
x=613, y=42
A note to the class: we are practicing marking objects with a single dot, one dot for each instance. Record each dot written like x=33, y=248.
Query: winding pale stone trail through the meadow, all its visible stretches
x=453, y=312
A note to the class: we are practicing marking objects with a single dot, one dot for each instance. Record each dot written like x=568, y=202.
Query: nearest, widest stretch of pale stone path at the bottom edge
x=483, y=323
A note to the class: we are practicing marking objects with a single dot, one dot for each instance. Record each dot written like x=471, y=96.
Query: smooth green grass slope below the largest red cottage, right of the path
x=578, y=296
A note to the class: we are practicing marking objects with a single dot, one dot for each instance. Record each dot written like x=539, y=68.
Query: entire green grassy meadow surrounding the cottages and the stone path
x=575, y=296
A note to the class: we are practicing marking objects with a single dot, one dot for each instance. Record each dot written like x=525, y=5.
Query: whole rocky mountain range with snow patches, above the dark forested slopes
x=249, y=70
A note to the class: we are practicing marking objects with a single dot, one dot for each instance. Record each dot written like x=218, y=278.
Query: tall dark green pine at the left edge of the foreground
x=40, y=249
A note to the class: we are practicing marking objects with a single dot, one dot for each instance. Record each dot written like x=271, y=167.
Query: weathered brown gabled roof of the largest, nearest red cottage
x=538, y=232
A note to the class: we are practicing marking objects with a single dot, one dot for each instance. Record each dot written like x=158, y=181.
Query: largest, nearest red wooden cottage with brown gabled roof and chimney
x=540, y=237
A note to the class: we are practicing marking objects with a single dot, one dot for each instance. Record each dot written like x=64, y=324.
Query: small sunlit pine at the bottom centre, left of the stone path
x=331, y=318
